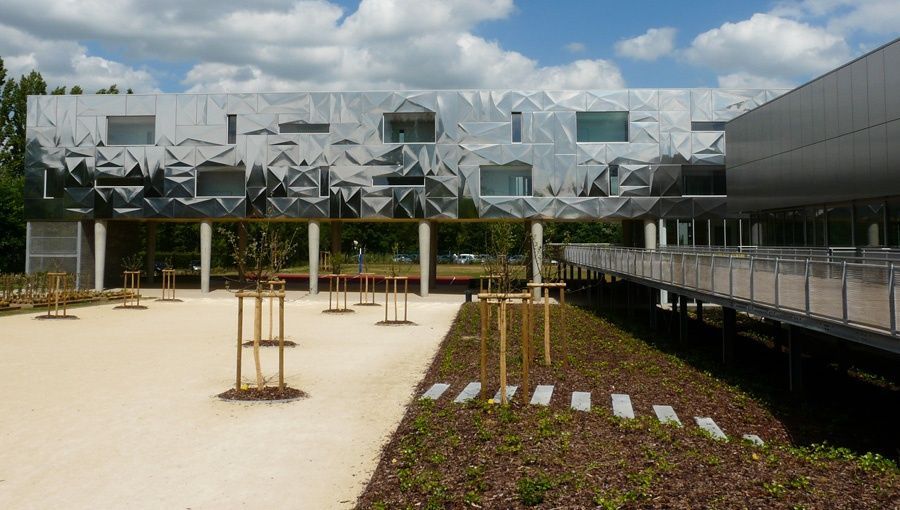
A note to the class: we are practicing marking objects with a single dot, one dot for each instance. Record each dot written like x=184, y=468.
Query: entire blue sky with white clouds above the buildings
x=282, y=45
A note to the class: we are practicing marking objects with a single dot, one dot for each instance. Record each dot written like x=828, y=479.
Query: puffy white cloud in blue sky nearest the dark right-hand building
x=780, y=49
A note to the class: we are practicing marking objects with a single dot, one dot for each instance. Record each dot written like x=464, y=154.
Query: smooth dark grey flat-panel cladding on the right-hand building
x=830, y=140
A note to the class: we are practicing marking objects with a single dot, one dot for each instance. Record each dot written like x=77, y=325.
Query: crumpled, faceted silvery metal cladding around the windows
x=324, y=154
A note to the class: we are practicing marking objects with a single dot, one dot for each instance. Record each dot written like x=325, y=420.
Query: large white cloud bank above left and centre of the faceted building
x=298, y=44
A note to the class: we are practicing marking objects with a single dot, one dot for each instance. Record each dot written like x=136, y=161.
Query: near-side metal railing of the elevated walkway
x=851, y=293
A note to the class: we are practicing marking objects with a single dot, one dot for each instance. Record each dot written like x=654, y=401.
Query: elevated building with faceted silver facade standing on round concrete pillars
x=654, y=159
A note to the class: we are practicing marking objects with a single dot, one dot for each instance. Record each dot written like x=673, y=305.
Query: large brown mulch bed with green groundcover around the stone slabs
x=483, y=455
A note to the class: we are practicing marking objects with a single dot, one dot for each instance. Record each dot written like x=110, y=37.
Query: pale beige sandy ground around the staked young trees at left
x=117, y=409
